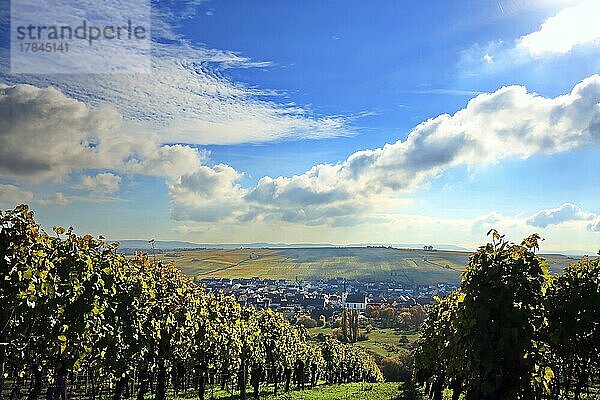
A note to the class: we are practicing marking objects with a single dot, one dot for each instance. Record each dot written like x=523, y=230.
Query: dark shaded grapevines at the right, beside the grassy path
x=514, y=331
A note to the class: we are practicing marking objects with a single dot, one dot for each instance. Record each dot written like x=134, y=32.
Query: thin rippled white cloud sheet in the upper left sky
x=186, y=98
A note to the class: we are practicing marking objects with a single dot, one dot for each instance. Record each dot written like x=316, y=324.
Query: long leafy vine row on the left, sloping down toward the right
x=77, y=317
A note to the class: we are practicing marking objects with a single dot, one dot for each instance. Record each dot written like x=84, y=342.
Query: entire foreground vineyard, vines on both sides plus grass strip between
x=79, y=318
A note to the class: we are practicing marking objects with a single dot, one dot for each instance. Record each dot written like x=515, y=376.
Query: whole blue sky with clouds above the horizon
x=322, y=121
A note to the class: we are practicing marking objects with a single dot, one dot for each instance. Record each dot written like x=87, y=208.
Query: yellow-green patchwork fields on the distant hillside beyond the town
x=362, y=263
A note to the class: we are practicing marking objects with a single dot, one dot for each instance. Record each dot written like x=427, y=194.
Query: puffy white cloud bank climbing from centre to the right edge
x=510, y=122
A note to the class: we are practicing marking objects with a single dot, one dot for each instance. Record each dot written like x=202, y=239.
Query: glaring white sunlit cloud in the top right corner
x=570, y=27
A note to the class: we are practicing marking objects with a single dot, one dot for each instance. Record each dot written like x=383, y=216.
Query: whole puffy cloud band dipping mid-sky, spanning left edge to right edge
x=44, y=134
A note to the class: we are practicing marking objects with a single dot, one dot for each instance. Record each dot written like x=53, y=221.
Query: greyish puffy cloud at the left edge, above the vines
x=45, y=134
